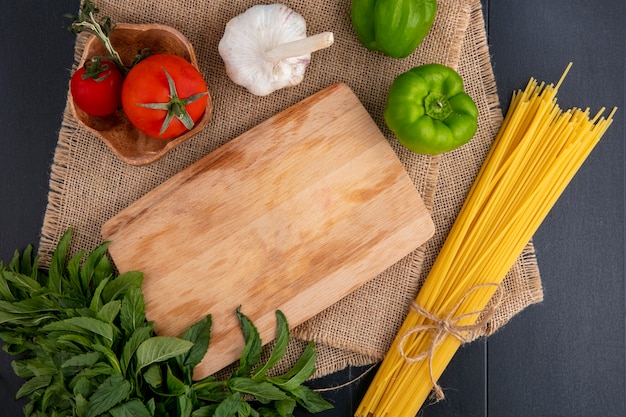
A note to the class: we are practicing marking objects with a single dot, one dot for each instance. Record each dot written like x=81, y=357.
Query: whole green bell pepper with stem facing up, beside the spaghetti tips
x=428, y=110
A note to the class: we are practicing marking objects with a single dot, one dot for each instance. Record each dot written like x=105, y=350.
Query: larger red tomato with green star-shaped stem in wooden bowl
x=164, y=96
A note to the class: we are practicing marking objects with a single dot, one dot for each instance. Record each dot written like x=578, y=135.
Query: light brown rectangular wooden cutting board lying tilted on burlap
x=293, y=215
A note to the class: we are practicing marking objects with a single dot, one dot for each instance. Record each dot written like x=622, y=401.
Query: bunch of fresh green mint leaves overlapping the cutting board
x=85, y=349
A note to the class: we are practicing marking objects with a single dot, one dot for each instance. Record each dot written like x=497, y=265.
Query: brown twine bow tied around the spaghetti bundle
x=448, y=325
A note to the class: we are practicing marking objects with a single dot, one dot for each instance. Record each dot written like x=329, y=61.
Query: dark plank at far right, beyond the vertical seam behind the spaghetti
x=565, y=356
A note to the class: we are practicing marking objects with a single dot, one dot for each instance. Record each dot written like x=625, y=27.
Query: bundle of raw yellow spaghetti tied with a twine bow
x=535, y=154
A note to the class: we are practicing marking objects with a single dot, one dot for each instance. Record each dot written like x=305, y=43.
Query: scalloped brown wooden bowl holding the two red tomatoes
x=128, y=143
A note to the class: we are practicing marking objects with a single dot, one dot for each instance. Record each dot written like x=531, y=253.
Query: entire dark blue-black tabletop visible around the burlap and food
x=563, y=357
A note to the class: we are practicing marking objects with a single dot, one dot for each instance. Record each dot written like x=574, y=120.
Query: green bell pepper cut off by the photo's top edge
x=393, y=27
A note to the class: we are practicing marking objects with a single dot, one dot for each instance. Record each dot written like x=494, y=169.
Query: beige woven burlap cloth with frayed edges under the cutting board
x=89, y=184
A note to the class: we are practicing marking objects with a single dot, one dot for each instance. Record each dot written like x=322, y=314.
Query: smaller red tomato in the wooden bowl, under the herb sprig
x=96, y=87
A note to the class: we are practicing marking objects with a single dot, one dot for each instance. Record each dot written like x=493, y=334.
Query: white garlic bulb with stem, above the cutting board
x=266, y=48
